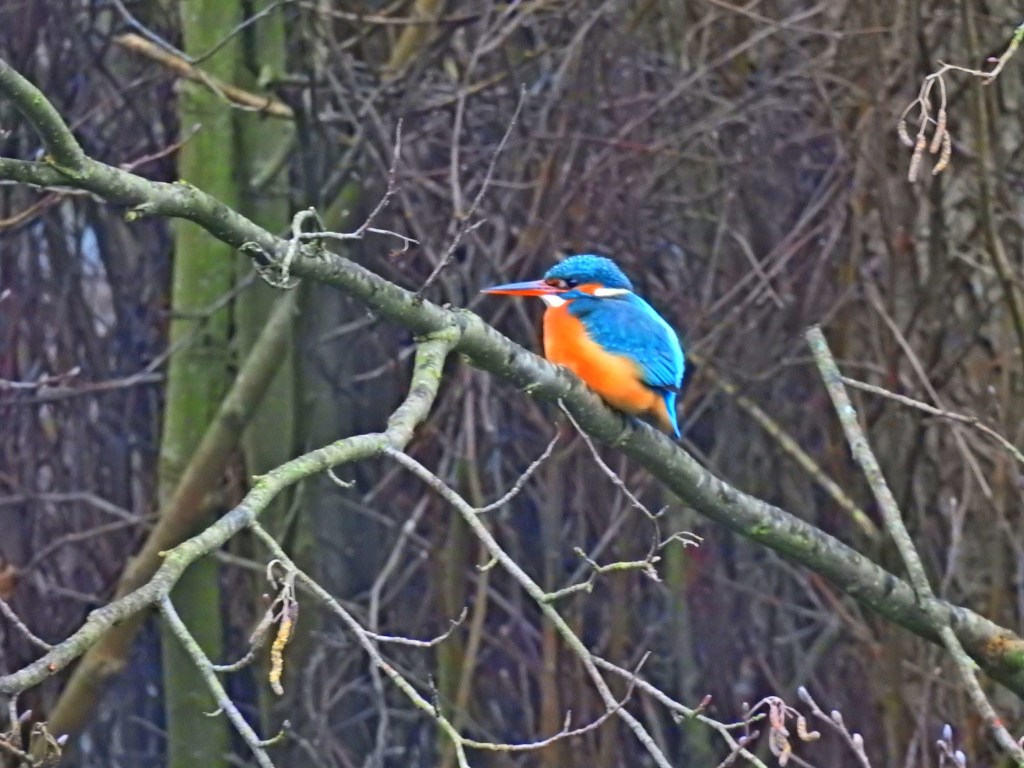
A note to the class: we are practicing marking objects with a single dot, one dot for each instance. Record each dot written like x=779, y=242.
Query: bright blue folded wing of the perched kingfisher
x=629, y=326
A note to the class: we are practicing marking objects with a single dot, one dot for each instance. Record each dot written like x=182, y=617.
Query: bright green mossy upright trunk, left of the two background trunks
x=198, y=376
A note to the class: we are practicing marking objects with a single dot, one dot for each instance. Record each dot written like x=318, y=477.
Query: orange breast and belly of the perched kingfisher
x=615, y=377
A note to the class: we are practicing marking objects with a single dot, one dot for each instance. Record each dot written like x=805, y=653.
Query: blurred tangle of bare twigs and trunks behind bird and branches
x=741, y=161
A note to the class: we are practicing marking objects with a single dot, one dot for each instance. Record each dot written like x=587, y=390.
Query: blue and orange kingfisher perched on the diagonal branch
x=600, y=329
